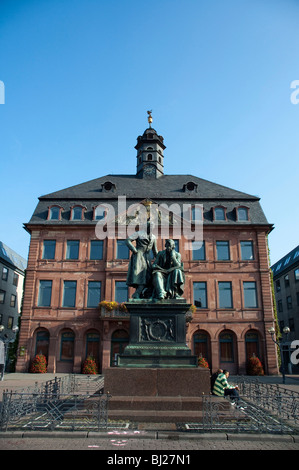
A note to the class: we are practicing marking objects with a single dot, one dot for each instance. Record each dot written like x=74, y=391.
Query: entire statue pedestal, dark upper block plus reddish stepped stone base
x=158, y=379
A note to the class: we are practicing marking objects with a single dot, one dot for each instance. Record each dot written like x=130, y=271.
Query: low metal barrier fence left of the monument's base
x=68, y=403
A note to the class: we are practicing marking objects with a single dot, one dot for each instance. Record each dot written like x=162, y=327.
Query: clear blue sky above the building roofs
x=79, y=76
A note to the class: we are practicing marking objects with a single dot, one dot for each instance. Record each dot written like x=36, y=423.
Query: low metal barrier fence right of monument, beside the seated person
x=262, y=408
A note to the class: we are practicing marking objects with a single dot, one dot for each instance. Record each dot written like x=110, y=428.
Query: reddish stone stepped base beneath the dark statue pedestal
x=157, y=395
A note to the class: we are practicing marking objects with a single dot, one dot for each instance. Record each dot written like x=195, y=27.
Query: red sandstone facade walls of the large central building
x=224, y=336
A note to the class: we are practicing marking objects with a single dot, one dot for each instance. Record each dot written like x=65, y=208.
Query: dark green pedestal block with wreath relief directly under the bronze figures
x=157, y=335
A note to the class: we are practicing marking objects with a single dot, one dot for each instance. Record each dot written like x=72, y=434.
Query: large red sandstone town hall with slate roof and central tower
x=70, y=270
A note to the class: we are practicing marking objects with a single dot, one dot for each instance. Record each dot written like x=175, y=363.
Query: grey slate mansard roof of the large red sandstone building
x=167, y=189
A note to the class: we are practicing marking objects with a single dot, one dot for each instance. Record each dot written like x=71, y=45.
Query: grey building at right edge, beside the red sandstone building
x=286, y=288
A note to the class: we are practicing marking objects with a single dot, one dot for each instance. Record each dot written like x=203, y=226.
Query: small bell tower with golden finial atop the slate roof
x=150, y=148
